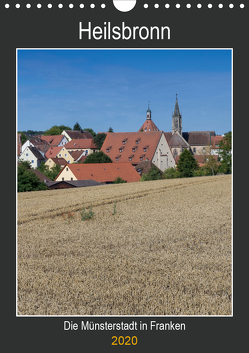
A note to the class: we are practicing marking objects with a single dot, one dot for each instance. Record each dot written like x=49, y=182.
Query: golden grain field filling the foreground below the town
x=166, y=251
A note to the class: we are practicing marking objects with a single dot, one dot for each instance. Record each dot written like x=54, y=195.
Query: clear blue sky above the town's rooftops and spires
x=111, y=88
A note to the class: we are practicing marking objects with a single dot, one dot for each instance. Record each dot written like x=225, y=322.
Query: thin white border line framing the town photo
x=124, y=316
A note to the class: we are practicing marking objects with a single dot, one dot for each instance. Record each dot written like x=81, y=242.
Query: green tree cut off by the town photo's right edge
x=225, y=153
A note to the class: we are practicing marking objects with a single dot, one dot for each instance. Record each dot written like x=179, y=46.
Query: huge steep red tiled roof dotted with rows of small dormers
x=116, y=139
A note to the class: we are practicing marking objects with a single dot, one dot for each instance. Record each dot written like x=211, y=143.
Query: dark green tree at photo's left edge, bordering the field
x=27, y=180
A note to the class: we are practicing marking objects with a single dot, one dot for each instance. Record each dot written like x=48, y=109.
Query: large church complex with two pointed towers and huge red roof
x=151, y=145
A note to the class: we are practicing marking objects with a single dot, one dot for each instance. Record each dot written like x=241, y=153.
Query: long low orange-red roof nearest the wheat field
x=104, y=172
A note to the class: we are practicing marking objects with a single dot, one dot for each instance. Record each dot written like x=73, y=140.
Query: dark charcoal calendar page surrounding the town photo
x=58, y=28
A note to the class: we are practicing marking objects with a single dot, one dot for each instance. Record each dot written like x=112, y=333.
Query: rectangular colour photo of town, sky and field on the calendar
x=124, y=182
